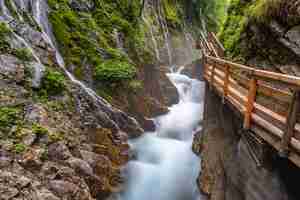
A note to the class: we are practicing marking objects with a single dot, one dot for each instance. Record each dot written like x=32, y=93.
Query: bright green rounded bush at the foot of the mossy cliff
x=115, y=71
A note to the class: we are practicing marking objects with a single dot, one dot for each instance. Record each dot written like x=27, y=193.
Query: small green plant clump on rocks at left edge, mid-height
x=8, y=117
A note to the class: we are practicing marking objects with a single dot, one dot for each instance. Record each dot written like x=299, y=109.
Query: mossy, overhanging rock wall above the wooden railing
x=264, y=34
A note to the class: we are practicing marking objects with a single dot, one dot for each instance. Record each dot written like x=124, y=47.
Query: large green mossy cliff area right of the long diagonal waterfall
x=89, y=37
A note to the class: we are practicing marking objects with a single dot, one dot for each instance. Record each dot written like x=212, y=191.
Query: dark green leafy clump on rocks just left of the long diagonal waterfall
x=53, y=83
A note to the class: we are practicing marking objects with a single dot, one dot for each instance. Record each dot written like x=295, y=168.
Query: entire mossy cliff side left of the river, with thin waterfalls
x=71, y=74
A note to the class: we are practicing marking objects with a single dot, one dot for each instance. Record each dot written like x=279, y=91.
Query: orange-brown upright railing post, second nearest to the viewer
x=250, y=102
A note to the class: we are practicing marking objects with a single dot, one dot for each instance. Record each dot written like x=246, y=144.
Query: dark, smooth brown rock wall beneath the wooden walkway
x=228, y=168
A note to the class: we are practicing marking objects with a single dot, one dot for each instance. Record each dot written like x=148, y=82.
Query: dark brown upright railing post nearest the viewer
x=291, y=121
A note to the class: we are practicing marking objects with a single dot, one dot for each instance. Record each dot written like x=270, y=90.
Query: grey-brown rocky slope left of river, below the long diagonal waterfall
x=69, y=145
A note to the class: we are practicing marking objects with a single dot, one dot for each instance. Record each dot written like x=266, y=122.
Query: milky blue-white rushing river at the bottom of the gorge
x=165, y=167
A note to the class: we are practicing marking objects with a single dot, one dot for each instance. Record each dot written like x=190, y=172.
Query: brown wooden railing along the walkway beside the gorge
x=268, y=102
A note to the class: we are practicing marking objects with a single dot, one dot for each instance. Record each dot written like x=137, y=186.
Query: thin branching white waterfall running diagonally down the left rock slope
x=110, y=116
